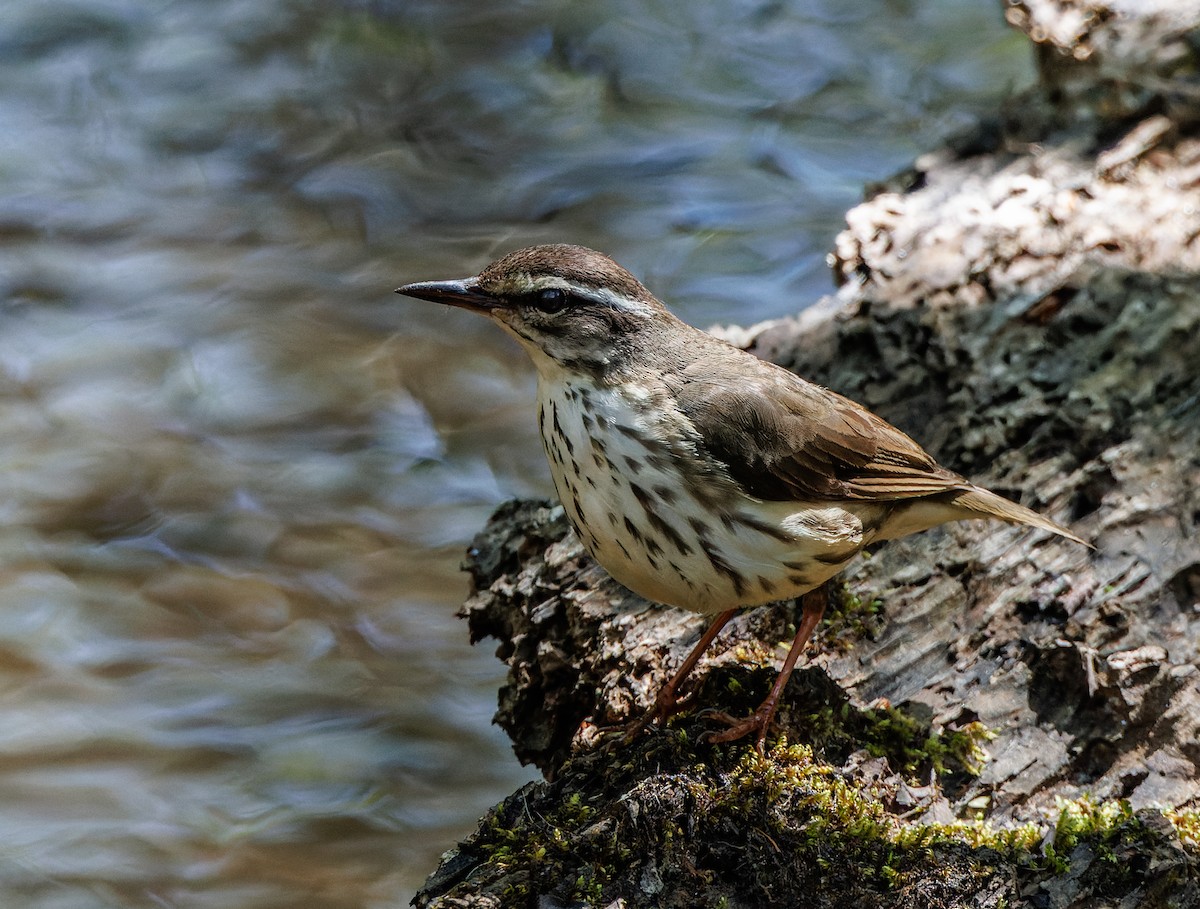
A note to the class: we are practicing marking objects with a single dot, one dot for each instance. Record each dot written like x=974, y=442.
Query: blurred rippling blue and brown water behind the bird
x=237, y=474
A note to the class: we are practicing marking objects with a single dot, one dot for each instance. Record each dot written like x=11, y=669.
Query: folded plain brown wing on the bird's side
x=784, y=438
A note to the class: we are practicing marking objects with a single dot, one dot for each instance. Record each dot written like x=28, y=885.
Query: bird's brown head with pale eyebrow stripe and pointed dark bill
x=568, y=306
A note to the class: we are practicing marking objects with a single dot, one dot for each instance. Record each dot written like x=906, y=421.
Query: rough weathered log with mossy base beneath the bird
x=1027, y=304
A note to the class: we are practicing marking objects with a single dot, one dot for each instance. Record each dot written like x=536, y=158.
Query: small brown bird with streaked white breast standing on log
x=697, y=474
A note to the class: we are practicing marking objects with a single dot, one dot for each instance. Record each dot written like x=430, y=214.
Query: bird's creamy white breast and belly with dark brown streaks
x=699, y=545
